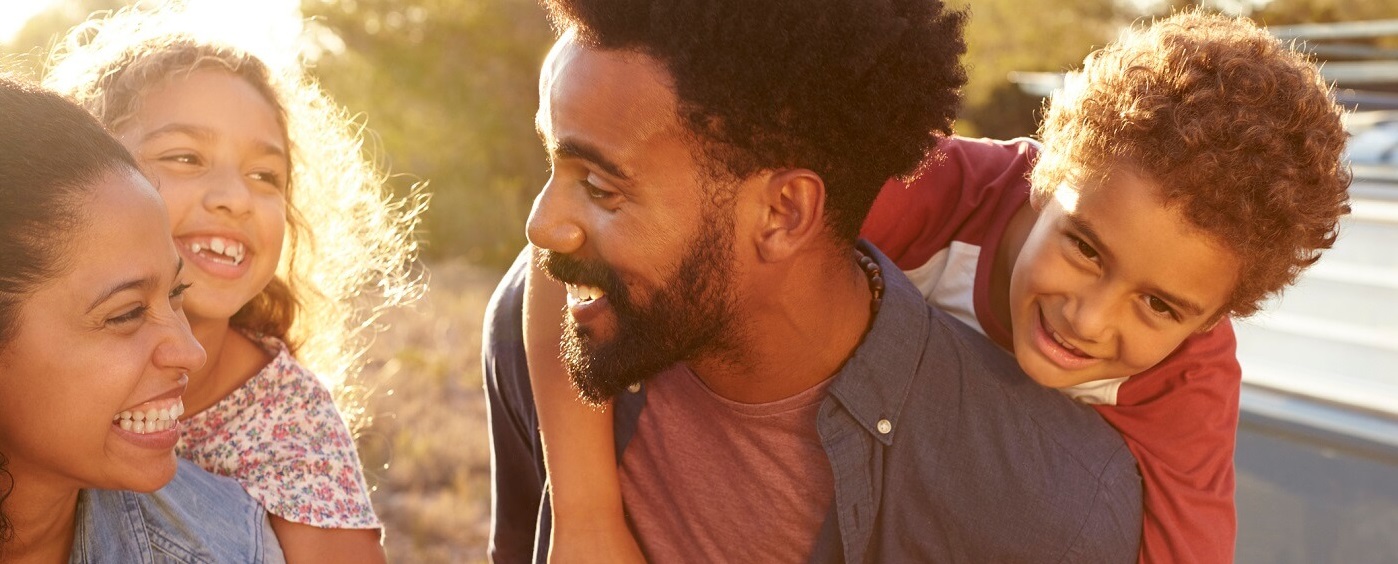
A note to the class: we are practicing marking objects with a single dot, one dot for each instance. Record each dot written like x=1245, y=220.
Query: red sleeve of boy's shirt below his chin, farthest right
x=1181, y=422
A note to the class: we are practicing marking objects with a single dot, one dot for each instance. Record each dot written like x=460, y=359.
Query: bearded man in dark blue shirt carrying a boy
x=782, y=393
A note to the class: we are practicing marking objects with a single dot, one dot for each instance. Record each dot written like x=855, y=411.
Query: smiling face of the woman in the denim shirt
x=101, y=342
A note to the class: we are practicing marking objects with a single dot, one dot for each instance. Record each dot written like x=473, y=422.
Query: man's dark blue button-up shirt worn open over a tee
x=943, y=450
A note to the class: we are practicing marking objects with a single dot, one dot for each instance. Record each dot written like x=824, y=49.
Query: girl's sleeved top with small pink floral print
x=282, y=437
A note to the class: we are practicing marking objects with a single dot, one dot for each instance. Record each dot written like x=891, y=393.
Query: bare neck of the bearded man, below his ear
x=803, y=320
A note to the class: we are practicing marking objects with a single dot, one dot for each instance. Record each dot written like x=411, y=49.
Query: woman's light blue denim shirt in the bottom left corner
x=198, y=519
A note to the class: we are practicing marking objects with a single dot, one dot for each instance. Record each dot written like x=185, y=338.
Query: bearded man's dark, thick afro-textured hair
x=853, y=90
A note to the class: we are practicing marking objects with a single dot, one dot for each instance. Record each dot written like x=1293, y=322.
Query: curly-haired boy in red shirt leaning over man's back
x=1190, y=171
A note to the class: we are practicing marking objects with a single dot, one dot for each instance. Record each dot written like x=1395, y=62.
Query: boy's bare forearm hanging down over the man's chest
x=579, y=450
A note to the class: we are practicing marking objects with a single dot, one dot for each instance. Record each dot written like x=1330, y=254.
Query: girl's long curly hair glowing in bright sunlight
x=350, y=248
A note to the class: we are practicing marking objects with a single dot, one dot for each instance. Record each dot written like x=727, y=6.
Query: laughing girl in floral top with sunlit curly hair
x=283, y=226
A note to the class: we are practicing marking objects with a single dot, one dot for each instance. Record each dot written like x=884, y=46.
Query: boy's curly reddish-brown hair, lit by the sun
x=1239, y=132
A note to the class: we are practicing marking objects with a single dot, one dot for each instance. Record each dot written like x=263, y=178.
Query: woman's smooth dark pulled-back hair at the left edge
x=52, y=153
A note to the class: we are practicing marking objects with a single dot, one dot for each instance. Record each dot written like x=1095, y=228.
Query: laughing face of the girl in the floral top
x=215, y=150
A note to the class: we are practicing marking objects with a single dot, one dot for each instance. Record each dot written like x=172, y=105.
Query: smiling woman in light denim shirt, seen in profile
x=90, y=267
